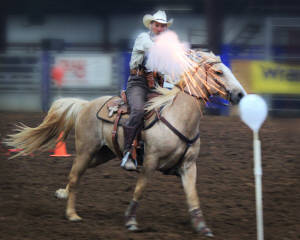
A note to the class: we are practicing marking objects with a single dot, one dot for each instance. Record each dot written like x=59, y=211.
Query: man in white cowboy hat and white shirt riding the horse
x=141, y=81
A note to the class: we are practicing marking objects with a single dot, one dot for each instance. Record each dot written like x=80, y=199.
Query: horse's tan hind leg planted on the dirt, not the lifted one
x=79, y=166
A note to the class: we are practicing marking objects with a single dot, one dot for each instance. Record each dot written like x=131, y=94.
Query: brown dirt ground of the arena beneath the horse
x=29, y=210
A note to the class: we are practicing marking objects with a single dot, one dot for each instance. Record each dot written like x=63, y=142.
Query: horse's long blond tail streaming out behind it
x=60, y=118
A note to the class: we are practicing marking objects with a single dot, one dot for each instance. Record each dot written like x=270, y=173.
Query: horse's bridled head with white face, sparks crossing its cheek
x=211, y=77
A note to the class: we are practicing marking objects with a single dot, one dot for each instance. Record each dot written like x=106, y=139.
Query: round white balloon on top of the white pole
x=253, y=111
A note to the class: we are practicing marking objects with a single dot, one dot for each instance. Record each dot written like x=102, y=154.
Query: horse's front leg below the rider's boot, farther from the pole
x=130, y=214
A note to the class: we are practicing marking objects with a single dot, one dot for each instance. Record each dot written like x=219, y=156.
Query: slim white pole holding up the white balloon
x=258, y=184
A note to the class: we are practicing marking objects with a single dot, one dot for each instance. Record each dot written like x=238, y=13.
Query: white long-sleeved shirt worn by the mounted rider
x=142, y=44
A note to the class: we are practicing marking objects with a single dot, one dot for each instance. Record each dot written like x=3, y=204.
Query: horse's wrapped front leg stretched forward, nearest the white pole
x=188, y=177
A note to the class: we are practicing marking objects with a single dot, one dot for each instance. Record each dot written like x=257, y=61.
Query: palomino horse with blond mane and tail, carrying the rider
x=163, y=148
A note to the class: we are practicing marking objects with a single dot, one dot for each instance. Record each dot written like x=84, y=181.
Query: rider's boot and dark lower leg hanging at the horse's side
x=127, y=162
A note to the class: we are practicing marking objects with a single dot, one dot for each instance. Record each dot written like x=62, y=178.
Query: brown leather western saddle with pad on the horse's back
x=116, y=111
